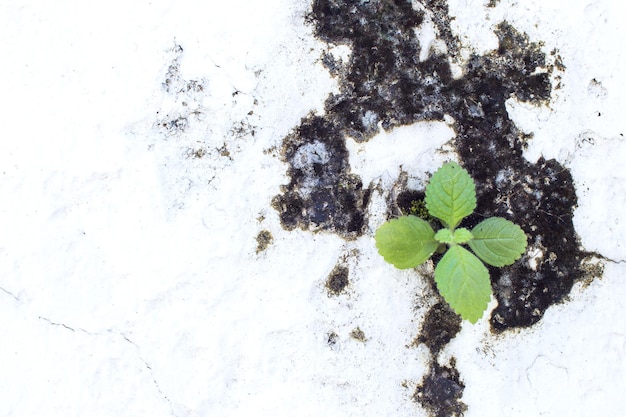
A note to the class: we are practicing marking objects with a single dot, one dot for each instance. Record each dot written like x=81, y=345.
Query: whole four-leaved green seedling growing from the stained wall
x=461, y=278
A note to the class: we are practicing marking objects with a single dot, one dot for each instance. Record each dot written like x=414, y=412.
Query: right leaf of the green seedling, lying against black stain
x=497, y=241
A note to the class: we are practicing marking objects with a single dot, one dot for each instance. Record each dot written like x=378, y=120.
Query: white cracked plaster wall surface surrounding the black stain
x=129, y=279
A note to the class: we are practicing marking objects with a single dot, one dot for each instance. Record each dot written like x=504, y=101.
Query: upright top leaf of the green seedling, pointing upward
x=451, y=195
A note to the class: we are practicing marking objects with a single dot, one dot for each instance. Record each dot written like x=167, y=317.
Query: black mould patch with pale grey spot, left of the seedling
x=322, y=193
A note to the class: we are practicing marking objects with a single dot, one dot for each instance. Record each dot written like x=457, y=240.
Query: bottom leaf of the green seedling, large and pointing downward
x=463, y=281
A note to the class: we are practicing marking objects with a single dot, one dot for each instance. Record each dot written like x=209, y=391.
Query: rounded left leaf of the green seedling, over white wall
x=406, y=242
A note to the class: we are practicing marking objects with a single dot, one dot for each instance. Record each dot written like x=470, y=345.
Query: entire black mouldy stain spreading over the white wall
x=384, y=85
